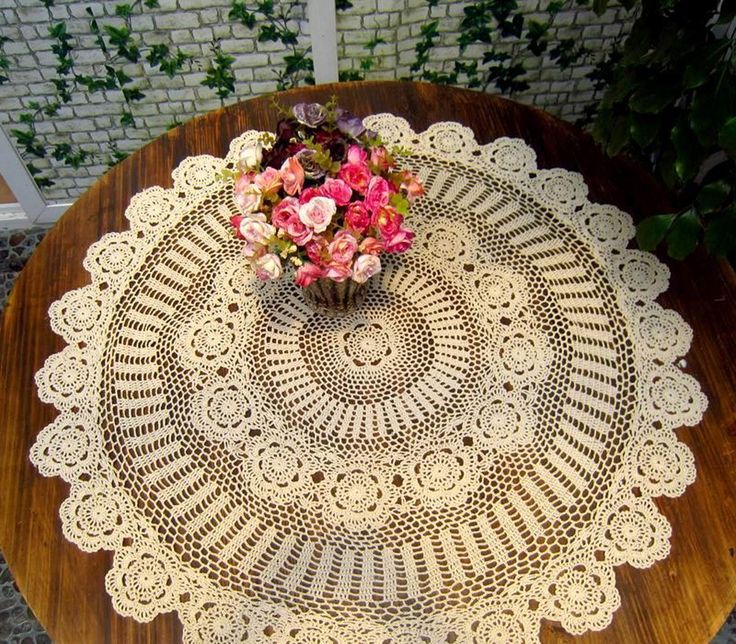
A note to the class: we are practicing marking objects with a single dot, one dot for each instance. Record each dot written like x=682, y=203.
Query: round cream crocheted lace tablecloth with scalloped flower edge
x=473, y=451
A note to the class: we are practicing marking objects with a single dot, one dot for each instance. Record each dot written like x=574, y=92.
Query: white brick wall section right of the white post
x=561, y=92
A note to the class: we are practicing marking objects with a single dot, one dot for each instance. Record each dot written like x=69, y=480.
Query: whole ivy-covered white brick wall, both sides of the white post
x=92, y=121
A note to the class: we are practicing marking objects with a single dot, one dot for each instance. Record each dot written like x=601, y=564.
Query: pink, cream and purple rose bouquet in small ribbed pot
x=324, y=198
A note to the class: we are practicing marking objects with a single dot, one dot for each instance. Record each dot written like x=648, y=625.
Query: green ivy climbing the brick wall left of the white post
x=120, y=45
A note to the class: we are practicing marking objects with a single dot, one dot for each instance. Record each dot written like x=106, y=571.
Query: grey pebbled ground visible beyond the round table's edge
x=17, y=623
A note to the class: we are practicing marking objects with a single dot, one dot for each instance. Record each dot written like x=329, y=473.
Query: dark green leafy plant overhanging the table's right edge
x=670, y=100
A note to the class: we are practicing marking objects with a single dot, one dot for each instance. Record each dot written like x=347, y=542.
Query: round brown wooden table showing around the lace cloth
x=684, y=599
